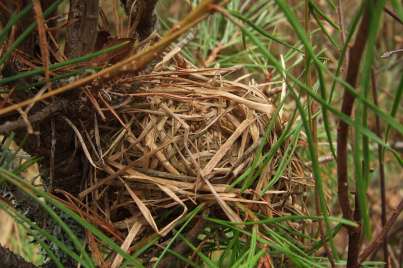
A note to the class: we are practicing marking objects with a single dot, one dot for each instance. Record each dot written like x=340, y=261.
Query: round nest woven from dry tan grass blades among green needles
x=165, y=142
